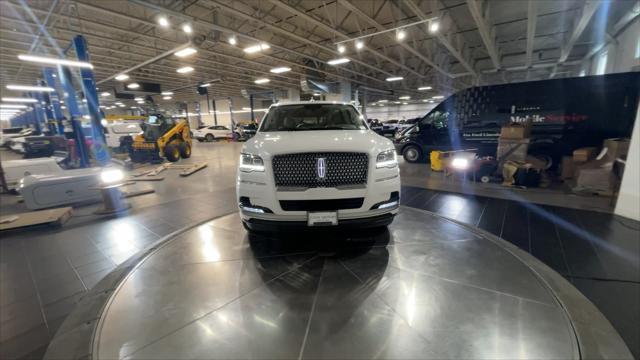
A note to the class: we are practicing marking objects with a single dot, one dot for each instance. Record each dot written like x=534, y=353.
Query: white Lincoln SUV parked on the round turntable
x=317, y=164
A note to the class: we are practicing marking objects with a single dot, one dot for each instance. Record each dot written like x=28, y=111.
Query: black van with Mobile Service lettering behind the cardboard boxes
x=566, y=114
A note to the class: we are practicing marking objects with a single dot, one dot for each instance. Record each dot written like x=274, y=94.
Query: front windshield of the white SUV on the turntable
x=304, y=117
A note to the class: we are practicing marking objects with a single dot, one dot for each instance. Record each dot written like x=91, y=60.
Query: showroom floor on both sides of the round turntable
x=45, y=271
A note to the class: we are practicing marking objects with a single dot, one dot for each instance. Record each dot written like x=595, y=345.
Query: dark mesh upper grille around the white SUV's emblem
x=301, y=170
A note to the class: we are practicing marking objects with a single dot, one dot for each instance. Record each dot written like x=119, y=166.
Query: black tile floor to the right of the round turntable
x=598, y=253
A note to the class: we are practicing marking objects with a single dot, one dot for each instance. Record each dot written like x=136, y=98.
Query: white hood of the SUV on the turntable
x=267, y=144
